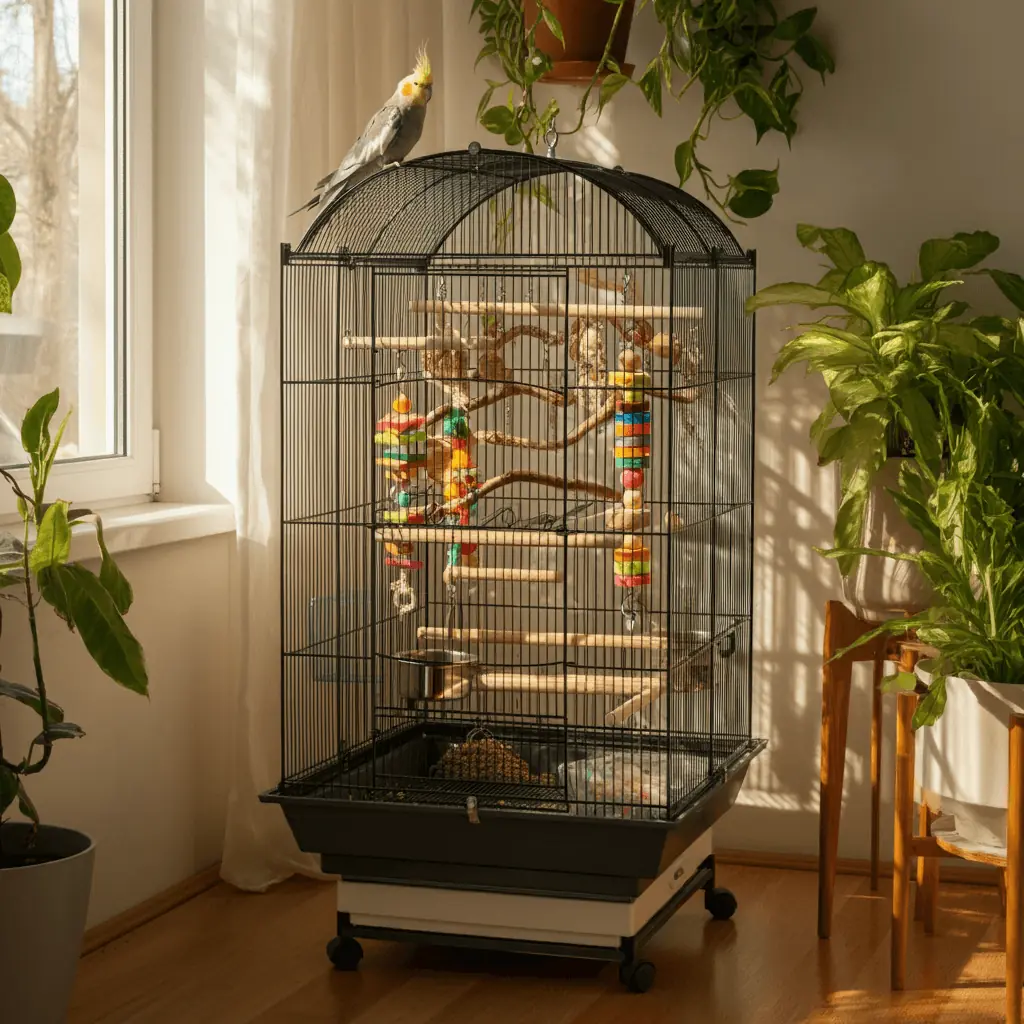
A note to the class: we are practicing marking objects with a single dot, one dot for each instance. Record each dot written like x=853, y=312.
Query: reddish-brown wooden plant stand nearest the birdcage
x=842, y=629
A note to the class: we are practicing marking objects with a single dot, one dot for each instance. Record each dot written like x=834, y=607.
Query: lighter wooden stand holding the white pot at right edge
x=935, y=842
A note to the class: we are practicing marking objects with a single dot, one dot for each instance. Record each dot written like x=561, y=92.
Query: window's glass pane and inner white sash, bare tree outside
x=57, y=118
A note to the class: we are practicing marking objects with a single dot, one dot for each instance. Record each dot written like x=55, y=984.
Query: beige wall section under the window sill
x=149, y=780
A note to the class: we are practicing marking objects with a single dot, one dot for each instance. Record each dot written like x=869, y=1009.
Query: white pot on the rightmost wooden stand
x=964, y=760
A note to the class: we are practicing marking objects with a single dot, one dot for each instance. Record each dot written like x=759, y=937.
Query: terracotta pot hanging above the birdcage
x=586, y=27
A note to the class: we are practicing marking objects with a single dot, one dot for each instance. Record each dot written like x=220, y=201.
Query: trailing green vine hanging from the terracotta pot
x=743, y=56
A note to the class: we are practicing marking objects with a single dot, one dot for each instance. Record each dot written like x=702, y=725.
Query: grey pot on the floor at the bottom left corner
x=44, y=909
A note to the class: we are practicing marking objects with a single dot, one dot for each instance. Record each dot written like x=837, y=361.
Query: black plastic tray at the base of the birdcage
x=492, y=842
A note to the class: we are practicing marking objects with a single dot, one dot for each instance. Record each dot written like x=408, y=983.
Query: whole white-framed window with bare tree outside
x=76, y=144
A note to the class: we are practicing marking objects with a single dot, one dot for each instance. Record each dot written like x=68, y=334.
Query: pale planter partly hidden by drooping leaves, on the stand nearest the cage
x=885, y=588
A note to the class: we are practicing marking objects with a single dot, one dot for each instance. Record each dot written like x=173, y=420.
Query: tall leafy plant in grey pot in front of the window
x=47, y=871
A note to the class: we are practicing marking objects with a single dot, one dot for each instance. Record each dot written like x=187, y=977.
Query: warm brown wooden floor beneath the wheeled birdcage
x=227, y=958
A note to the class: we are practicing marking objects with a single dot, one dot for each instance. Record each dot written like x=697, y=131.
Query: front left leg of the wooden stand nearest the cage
x=836, y=680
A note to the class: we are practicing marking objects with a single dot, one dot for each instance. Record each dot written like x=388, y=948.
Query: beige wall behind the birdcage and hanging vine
x=918, y=135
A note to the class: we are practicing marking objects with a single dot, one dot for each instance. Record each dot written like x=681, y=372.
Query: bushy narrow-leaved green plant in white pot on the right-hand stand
x=969, y=511
